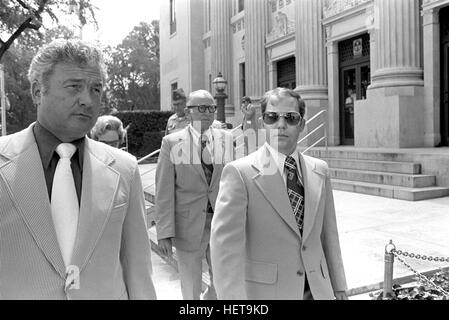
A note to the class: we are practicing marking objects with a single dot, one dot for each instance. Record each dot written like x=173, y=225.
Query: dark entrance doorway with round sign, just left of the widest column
x=354, y=79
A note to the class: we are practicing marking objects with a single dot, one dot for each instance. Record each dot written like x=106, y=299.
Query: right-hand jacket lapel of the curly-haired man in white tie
x=100, y=184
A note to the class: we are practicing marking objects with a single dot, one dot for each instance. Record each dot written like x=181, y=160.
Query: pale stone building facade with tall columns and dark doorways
x=380, y=68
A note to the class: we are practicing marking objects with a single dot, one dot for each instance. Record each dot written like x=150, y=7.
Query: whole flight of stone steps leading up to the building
x=382, y=173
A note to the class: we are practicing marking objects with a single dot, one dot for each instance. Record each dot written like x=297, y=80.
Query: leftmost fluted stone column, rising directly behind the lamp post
x=221, y=11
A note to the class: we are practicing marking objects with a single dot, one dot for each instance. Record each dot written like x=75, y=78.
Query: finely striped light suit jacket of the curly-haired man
x=112, y=248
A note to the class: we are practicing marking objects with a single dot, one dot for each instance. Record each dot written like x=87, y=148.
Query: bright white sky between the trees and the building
x=116, y=18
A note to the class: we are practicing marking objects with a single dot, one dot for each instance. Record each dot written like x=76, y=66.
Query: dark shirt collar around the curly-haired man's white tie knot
x=47, y=143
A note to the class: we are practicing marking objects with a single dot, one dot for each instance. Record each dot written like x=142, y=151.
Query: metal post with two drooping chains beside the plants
x=391, y=249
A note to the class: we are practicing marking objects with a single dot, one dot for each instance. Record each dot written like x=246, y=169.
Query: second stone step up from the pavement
x=387, y=178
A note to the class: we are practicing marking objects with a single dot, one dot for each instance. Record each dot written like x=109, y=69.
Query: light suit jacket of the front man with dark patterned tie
x=256, y=248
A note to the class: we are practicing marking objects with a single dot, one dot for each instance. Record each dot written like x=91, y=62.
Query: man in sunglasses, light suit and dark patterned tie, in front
x=274, y=232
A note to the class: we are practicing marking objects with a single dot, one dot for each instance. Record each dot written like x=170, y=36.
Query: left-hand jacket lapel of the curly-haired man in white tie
x=25, y=177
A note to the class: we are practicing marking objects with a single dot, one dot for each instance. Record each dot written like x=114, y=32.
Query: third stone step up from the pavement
x=374, y=165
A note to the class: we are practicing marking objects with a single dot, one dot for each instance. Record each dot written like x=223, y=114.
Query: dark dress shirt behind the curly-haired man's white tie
x=47, y=143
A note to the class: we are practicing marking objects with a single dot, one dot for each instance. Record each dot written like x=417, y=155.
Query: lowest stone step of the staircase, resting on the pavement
x=388, y=191
